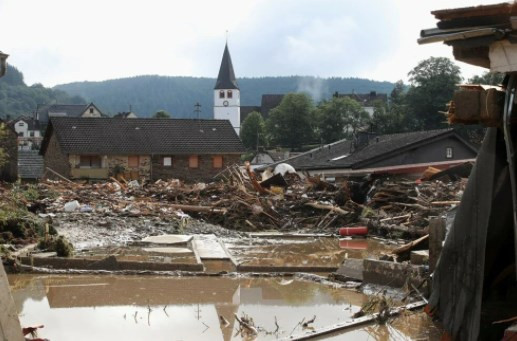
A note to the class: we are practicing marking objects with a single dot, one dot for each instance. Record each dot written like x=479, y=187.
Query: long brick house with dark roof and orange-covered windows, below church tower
x=97, y=148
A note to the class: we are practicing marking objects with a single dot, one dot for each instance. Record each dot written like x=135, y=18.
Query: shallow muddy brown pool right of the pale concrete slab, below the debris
x=303, y=252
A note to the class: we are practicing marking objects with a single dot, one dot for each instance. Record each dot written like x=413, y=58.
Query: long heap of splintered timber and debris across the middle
x=240, y=201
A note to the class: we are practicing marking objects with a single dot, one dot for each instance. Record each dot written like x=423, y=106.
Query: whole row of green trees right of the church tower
x=298, y=122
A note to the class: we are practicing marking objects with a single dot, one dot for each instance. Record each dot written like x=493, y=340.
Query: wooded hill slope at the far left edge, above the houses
x=16, y=98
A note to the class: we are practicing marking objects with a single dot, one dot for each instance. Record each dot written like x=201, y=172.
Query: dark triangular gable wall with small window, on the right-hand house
x=433, y=152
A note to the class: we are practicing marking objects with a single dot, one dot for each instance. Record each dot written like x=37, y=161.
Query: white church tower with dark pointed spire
x=227, y=97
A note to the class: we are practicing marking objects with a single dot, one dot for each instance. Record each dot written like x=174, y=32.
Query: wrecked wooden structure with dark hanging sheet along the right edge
x=474, y=288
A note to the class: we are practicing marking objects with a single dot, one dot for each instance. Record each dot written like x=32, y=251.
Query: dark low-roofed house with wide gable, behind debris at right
x=396, y=154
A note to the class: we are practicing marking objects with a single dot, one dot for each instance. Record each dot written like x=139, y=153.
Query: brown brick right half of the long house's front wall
x=180, y=169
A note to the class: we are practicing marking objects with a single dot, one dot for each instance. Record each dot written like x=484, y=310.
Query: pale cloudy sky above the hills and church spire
x=62, y=41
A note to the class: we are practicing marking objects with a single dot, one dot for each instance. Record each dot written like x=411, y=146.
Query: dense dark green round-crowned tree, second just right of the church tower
x=292, y=123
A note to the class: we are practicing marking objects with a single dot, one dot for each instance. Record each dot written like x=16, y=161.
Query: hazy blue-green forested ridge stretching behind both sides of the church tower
x=177, y=95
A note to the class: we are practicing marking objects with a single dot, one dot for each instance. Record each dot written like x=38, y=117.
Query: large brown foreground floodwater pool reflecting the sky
x=169, y=308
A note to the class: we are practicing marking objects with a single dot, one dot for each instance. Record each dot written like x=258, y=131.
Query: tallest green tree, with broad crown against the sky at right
x=433, y=82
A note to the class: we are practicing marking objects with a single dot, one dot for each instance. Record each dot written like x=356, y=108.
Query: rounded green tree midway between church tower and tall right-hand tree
x=338, y=117
